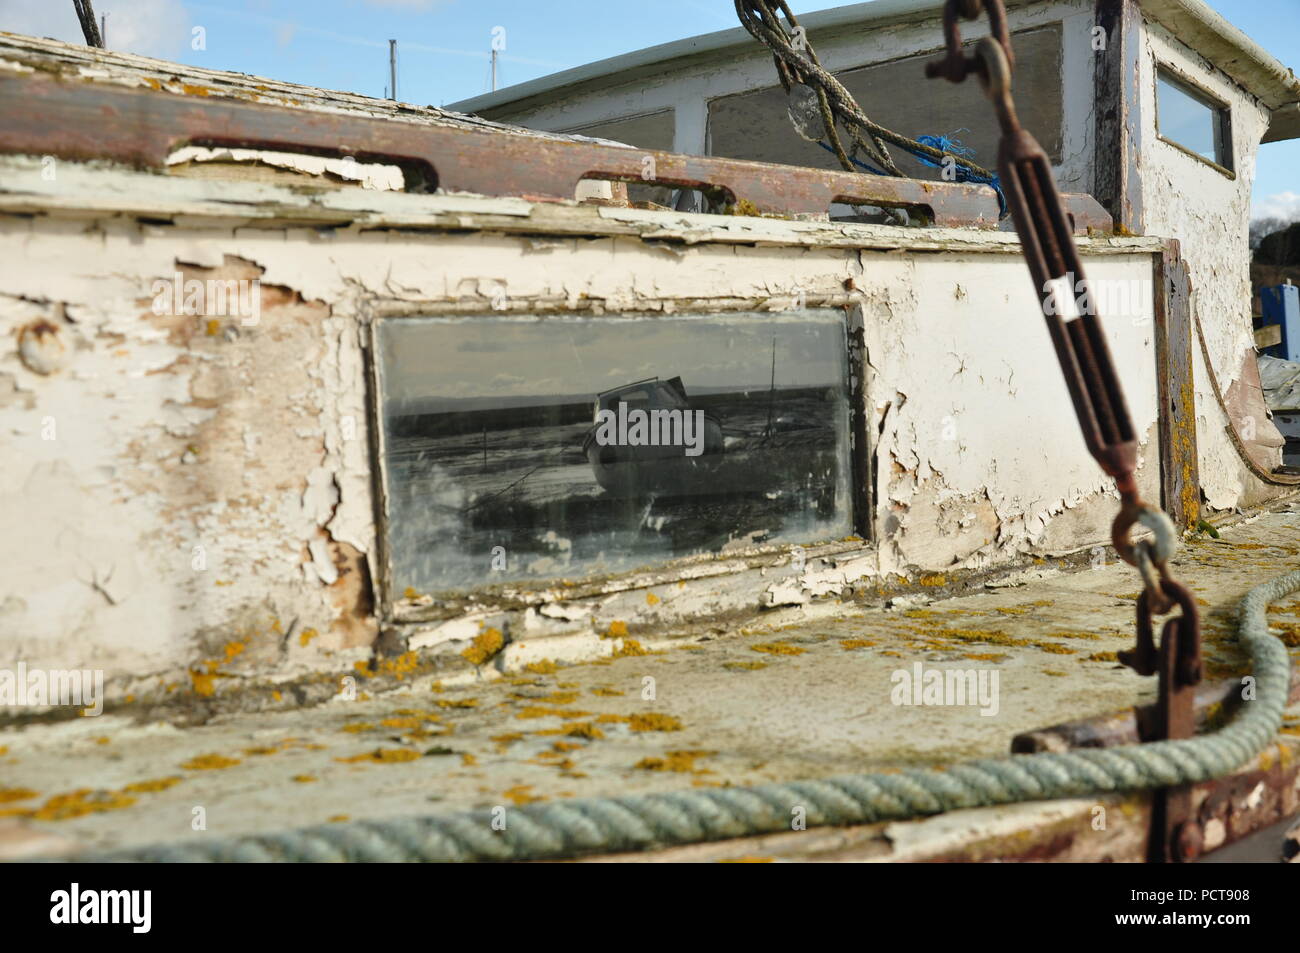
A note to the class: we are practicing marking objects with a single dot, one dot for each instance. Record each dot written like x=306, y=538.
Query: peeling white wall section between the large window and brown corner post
x=980, y=452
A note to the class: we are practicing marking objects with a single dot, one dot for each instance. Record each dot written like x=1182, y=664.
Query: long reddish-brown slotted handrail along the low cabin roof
x=83, y=120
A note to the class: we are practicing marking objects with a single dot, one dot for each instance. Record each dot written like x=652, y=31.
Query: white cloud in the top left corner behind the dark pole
x=150, y=28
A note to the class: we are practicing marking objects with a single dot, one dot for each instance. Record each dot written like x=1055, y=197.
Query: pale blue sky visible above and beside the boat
x=444, y=45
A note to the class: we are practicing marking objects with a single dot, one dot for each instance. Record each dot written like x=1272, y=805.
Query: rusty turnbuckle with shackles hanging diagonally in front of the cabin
x=1078, y=336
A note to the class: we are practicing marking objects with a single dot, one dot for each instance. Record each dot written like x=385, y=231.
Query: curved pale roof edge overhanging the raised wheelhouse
x=1193, y=21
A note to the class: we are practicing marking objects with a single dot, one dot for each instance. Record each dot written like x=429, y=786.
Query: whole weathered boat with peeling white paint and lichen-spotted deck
x=235, y=526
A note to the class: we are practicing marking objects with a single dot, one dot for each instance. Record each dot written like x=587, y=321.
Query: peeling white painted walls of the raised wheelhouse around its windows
x=1173, y=194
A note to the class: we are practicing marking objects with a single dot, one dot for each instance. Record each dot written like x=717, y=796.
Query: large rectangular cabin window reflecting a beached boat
x=554, y=448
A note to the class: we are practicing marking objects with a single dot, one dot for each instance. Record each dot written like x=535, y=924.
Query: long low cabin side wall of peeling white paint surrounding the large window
x=185, y=490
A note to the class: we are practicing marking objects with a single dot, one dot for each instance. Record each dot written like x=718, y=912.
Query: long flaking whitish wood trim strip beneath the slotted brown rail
x=96, y=192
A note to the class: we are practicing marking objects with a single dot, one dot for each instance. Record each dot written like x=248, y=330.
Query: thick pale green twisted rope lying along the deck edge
x=610, y=825
